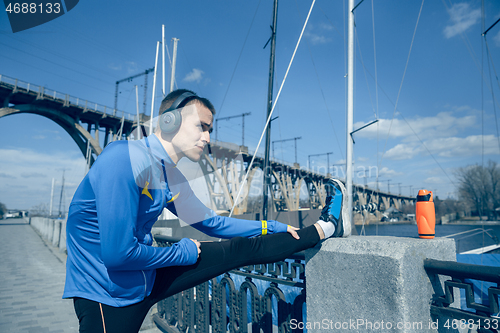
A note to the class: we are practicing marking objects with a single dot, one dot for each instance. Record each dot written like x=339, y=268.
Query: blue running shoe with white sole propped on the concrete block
x=335, y=210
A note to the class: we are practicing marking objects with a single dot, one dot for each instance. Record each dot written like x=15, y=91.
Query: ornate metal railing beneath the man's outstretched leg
x=219, y=305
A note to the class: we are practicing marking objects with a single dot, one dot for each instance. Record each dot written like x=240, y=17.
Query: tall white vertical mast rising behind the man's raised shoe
x=350, y=104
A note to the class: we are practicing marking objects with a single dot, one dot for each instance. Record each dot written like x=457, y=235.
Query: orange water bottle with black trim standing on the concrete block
x=425, y=214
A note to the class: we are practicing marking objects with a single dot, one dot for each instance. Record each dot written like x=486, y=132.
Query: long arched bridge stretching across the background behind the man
x=224, y=165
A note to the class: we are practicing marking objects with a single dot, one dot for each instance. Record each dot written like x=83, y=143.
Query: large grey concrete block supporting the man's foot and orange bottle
x=372, y=283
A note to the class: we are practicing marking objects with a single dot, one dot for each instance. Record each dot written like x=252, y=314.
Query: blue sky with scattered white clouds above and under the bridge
x=445, y=116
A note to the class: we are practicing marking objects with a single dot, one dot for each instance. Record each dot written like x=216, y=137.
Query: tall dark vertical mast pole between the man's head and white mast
x=267, y=173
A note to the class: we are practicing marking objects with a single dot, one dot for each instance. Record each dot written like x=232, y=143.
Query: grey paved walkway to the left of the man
x=32, y=282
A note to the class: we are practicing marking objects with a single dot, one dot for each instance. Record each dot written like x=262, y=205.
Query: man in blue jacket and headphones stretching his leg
x=113, y=273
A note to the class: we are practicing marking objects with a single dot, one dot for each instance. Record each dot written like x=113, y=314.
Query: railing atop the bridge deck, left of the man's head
x=65, y=99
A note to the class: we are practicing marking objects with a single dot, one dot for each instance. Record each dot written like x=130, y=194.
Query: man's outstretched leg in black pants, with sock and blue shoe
x=219, y=257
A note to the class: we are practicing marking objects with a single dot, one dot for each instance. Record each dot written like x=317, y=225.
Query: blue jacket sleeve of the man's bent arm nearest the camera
x=117, y=199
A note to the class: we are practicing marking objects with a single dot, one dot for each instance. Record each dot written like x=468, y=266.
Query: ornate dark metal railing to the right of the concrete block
x=483, y=316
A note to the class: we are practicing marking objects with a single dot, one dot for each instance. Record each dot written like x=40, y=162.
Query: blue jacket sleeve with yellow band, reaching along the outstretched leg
x=192, y=211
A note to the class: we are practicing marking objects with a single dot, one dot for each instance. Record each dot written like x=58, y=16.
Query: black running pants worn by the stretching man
x=215, y=259
